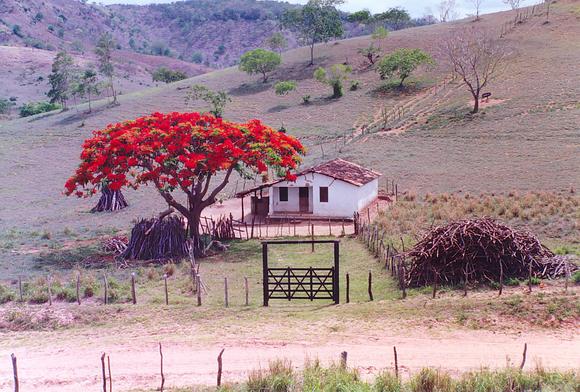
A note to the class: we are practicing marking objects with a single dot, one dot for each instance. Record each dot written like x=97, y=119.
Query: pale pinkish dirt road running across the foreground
x=60, y=363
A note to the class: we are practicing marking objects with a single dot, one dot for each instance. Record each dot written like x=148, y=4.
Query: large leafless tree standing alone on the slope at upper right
x=475, y=57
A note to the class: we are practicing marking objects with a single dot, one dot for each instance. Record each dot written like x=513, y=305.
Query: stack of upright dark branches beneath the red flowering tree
x=160, y=238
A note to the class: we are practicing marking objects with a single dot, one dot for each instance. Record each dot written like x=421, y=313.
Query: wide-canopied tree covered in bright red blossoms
x=182, y=152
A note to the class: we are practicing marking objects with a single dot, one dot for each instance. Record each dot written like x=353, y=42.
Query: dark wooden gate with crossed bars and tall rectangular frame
x=300, y=283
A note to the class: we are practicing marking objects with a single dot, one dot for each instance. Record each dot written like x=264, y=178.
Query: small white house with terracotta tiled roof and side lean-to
x=335, y=189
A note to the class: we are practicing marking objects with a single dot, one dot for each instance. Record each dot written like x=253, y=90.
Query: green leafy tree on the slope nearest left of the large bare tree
x=402, y=63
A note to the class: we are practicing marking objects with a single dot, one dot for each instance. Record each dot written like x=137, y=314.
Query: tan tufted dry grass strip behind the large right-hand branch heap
x=553, y=216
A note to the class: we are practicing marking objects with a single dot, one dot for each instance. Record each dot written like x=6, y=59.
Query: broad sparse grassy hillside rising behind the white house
x=527, y=140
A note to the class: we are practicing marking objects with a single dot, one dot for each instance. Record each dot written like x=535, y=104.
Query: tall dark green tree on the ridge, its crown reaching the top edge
x=318, y=21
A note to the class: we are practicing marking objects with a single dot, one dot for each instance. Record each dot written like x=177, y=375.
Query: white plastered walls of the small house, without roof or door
x=344, y=199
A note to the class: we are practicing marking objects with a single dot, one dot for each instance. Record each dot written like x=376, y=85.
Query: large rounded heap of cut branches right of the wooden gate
x=478, y=251
